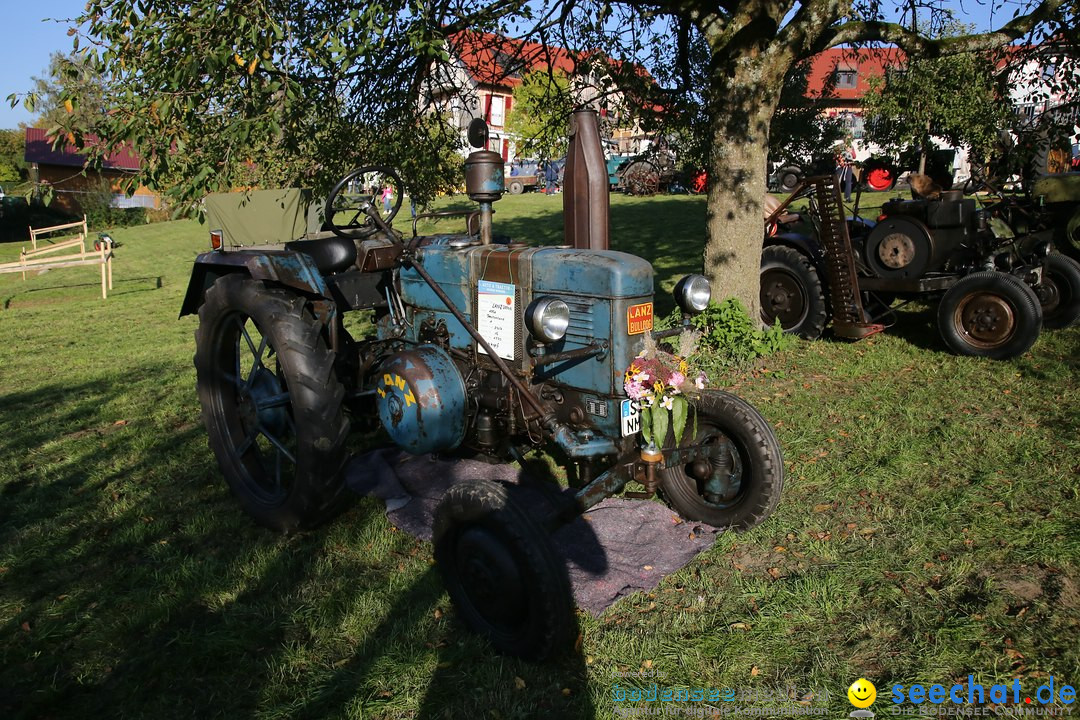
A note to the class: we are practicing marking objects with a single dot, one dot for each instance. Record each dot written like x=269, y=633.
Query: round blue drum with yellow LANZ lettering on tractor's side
x=422, y=400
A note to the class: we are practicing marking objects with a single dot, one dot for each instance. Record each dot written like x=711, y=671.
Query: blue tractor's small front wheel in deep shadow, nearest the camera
x=502, y=570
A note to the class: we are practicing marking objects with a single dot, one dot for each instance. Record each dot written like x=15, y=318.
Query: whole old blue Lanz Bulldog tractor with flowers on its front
x=479, y=347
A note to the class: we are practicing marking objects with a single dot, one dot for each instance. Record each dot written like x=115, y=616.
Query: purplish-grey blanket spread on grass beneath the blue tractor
x=618, y=548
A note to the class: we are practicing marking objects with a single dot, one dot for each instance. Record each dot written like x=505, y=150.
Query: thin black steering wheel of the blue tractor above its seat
x=361, y=192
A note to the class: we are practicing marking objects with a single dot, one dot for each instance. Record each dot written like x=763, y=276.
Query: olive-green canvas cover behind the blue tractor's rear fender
x=263, y=218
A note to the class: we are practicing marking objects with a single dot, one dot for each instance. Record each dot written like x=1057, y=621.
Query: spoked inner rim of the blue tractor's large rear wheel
x=263, y=429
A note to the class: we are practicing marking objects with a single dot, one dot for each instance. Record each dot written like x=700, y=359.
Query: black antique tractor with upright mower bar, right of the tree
x=991, y=269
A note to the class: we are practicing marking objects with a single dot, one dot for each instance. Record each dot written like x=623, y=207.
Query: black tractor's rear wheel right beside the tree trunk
x=792, y=291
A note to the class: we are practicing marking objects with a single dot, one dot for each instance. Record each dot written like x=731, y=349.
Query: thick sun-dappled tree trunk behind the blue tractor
x=740, y=121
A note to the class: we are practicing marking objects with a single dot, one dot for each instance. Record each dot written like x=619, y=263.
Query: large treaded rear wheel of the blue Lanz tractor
x=272, y=403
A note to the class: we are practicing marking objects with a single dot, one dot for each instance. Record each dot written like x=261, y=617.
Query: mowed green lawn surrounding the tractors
x=928, y=529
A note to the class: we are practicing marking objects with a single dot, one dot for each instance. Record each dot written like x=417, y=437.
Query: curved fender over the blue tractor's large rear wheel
x=296, y=270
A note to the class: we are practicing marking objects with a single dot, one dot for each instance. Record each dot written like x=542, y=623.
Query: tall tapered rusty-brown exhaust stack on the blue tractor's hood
x=586, y=188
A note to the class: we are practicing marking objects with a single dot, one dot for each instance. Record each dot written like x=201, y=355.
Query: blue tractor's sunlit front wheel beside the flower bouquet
x=751, y=452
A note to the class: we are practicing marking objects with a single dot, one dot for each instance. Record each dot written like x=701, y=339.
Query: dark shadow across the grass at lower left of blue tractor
x=134, y=587
